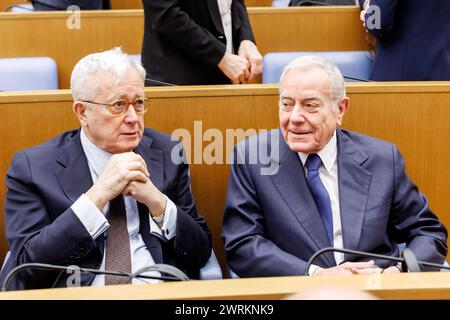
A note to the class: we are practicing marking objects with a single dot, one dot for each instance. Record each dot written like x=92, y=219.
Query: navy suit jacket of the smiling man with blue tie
x=272, y=225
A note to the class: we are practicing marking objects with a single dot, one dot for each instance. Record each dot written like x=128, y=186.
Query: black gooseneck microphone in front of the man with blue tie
x=408, y=260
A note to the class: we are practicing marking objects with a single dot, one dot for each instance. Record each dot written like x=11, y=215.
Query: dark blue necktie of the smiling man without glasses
x=319, y=193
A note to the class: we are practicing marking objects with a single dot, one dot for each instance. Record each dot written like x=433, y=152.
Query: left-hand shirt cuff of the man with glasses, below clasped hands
x=92, y=219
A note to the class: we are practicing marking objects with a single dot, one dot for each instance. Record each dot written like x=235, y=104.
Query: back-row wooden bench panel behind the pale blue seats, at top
x=28, y=34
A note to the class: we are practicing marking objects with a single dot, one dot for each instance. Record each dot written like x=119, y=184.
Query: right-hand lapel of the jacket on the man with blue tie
x=354, y=185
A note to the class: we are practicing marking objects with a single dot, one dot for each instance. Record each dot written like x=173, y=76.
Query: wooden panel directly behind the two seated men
x=412, y=115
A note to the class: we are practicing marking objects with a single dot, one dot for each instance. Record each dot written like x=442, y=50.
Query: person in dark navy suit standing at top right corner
x=412, y=39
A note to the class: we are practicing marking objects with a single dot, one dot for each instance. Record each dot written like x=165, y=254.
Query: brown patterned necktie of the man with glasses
x=118, y=257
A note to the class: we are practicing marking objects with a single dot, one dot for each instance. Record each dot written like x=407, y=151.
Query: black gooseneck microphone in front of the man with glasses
x=174, y=273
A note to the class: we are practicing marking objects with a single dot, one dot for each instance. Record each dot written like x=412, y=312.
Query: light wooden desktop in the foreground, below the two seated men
x=395, y=286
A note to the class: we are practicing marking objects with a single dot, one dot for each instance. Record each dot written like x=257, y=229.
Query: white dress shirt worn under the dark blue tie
x=328, y=173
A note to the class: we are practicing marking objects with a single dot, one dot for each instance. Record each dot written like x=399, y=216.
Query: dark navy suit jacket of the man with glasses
x=44, y=181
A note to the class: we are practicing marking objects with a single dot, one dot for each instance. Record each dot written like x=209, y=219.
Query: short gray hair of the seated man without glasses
x=304, y=63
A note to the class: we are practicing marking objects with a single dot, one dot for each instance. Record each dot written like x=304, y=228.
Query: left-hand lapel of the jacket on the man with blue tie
x=291, y=184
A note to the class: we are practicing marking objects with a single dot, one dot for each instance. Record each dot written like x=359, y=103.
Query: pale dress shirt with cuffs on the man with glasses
x=96, y=223
